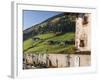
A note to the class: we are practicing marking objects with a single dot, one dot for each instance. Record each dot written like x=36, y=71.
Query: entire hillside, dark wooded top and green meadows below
x=54, y=35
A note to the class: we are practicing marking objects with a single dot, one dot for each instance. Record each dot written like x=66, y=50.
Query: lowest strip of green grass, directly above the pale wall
x=52, y=49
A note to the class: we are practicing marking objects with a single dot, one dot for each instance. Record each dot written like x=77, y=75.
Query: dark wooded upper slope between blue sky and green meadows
x=64, y=22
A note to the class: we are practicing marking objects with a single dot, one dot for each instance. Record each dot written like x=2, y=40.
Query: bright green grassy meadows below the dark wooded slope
x=43, y=47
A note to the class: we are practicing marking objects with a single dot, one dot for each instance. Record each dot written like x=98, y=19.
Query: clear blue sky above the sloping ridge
x=31, y=17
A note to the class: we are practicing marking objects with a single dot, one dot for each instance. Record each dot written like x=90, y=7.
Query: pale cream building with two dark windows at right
x=83, y=32
